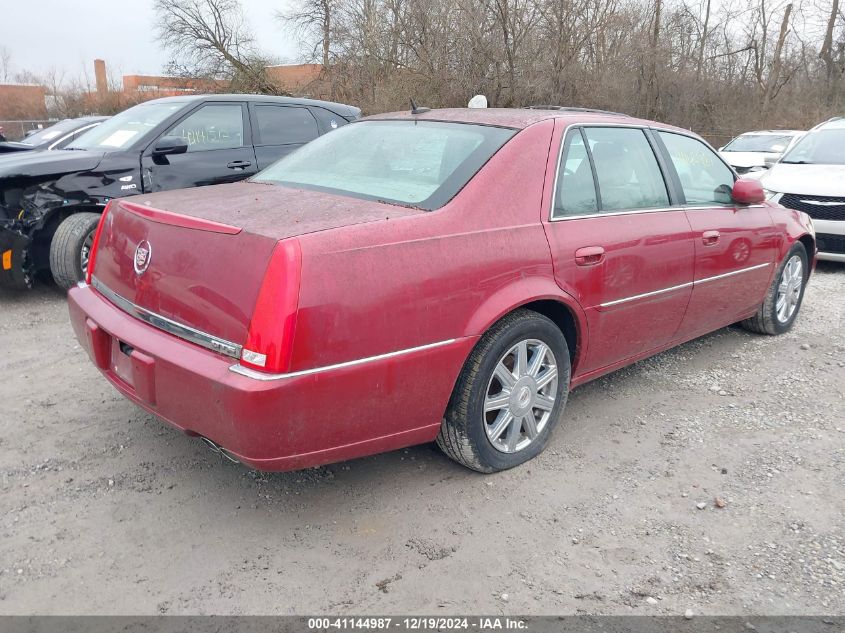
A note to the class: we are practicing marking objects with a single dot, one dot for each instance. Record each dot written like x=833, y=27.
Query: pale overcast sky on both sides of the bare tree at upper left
x=70, y=34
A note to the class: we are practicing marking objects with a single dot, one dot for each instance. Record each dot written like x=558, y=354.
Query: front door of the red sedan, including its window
x=735, y=245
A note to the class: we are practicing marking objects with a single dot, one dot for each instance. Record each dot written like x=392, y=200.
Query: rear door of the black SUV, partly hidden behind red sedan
x=280, y=129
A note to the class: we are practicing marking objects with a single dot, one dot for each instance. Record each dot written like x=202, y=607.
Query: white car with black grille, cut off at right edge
x=810, y=177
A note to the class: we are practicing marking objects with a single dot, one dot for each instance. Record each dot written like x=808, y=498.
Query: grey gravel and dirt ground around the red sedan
x=106, y=510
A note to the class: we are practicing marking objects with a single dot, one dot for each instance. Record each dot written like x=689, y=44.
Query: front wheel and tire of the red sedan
x=790, y=280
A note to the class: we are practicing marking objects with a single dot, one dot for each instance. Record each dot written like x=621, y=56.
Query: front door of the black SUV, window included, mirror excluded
x=219, y=150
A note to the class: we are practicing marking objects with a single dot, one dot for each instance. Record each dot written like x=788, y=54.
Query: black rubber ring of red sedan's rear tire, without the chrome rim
x=539, y=328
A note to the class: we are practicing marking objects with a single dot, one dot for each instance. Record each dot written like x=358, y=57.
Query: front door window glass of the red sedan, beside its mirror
x=705, y=179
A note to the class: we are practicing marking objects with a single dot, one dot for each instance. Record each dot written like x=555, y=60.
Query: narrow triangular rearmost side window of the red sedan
x=576, y=188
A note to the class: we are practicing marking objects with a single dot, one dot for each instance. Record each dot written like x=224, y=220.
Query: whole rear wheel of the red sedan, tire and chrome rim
x=475, y=435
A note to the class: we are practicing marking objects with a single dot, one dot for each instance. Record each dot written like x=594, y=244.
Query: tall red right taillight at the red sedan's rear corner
x=270, y=339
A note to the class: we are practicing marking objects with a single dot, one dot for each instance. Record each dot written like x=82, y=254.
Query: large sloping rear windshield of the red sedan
x=416, y=163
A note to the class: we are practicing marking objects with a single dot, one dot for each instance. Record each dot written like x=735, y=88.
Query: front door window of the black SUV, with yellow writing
x=212, y=127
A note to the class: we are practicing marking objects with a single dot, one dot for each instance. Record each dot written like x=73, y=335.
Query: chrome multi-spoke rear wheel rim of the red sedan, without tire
x=520, y=396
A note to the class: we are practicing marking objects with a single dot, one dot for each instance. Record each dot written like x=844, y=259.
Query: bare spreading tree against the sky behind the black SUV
x=211, y=39
